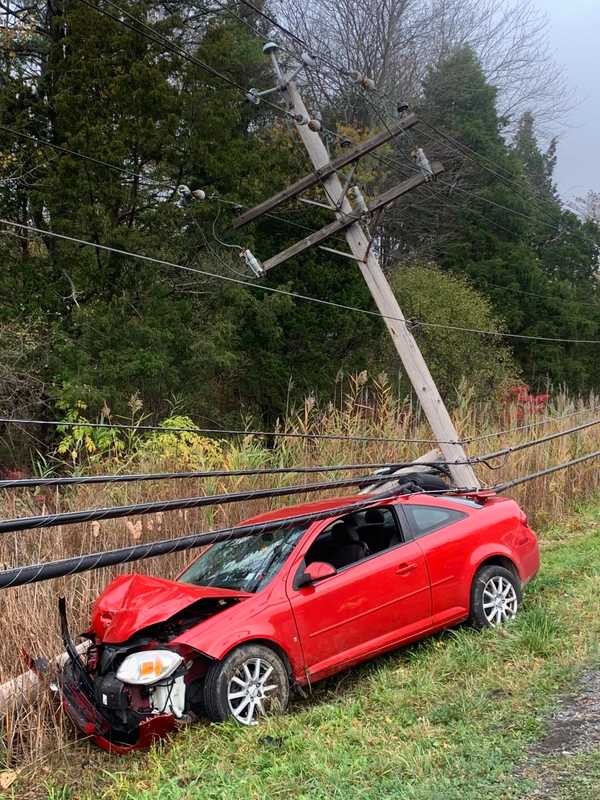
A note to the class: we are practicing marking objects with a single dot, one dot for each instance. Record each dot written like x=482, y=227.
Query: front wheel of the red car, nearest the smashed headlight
x=250, y=682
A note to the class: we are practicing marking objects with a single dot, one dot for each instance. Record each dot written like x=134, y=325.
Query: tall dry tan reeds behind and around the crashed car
x=29, y=613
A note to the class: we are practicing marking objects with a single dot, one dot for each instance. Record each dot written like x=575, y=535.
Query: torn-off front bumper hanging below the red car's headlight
x=106, y=709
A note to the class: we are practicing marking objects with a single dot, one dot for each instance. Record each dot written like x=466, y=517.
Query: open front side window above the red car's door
x=356, y=537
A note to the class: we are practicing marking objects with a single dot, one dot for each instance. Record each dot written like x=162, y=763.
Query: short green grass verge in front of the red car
x=448, y=718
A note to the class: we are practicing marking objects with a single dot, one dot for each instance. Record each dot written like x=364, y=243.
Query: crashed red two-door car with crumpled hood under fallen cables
x=253, y=618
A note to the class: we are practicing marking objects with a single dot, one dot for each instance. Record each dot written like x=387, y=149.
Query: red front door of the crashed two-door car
x=363, y=609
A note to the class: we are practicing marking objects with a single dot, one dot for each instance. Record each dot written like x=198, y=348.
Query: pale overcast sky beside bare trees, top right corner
x=574, y=37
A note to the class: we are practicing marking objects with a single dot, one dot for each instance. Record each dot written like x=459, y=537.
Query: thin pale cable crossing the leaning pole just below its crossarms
x=296, y=295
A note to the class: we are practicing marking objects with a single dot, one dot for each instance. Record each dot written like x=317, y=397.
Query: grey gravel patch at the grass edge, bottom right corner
x=560, y=761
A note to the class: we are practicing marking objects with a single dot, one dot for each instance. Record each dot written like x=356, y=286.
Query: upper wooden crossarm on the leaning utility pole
x=323, y=172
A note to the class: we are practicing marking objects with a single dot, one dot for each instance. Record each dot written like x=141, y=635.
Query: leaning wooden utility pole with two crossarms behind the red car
x=349, y=220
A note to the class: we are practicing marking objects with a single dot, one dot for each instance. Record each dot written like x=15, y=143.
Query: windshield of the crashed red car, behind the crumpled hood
x=246, y=564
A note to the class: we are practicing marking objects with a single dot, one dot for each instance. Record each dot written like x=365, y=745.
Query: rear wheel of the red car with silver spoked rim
x=496, y=597
